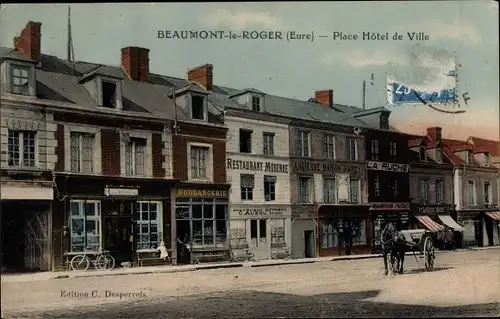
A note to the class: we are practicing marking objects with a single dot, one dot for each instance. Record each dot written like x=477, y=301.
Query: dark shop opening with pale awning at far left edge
x=26, y=213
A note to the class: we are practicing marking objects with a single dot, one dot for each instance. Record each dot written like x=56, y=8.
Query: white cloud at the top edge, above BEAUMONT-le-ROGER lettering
x=241, y=19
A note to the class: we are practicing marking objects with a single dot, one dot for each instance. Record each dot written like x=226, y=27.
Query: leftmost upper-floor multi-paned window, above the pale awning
x=21, y=148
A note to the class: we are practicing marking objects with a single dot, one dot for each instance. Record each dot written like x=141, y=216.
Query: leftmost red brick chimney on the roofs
x=28, y=43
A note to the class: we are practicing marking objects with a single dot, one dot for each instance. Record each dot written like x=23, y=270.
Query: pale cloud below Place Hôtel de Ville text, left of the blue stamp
x=363, y=58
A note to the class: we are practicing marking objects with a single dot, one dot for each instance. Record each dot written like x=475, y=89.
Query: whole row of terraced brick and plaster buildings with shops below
x=117, y=157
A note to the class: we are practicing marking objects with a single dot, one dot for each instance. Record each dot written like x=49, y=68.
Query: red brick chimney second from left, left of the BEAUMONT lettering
x=135, y=61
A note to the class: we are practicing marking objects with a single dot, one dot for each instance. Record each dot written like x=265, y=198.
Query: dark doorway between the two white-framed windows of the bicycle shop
x=118, y=238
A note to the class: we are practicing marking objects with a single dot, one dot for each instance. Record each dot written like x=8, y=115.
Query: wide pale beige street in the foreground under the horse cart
x=463, y=284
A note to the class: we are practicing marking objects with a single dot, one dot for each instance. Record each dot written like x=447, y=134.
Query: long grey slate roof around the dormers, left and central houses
x=59, y=80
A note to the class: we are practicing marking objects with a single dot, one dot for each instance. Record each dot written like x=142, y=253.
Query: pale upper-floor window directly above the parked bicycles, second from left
x=82, y=152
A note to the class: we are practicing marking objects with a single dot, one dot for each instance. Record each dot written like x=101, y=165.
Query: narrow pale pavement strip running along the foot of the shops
x=204, y=266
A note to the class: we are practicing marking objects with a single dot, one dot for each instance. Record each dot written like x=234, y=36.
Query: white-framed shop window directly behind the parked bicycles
x=84, y=225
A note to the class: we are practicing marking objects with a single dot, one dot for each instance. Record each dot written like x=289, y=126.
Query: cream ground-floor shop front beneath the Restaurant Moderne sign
x=264, y=229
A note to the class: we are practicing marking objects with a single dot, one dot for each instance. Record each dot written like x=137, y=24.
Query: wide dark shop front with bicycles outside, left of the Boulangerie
x=124, y=216
